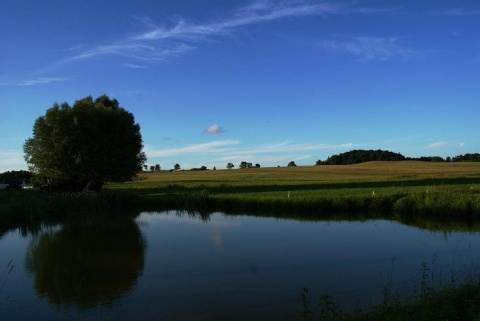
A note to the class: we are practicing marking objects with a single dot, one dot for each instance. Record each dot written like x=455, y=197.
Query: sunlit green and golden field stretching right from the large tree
x=419, y=188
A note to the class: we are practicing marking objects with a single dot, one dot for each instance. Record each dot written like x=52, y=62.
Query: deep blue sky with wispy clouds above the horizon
x=262, y=81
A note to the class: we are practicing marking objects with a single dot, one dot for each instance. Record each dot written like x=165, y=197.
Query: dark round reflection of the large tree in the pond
x=87, y=264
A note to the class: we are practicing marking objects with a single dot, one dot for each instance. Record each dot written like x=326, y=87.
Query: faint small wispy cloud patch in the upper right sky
x=371, y=48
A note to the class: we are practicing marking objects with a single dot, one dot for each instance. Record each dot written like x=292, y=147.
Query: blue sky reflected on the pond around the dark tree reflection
x=242, y=267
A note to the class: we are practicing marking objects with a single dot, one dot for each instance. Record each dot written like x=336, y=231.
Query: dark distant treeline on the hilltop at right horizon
x=358, y=156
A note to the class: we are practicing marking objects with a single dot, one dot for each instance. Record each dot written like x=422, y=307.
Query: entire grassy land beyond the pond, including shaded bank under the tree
x=375, y=189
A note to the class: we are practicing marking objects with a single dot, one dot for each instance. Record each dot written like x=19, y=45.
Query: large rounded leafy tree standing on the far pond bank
x=80, y=147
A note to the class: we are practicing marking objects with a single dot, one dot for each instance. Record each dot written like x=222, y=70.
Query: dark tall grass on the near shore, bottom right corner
x=433, y=299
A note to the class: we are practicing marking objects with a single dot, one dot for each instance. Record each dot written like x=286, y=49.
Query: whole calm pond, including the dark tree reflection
x=175, y=266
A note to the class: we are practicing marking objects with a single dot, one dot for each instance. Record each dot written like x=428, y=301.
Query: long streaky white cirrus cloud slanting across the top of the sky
x=158, y=43
